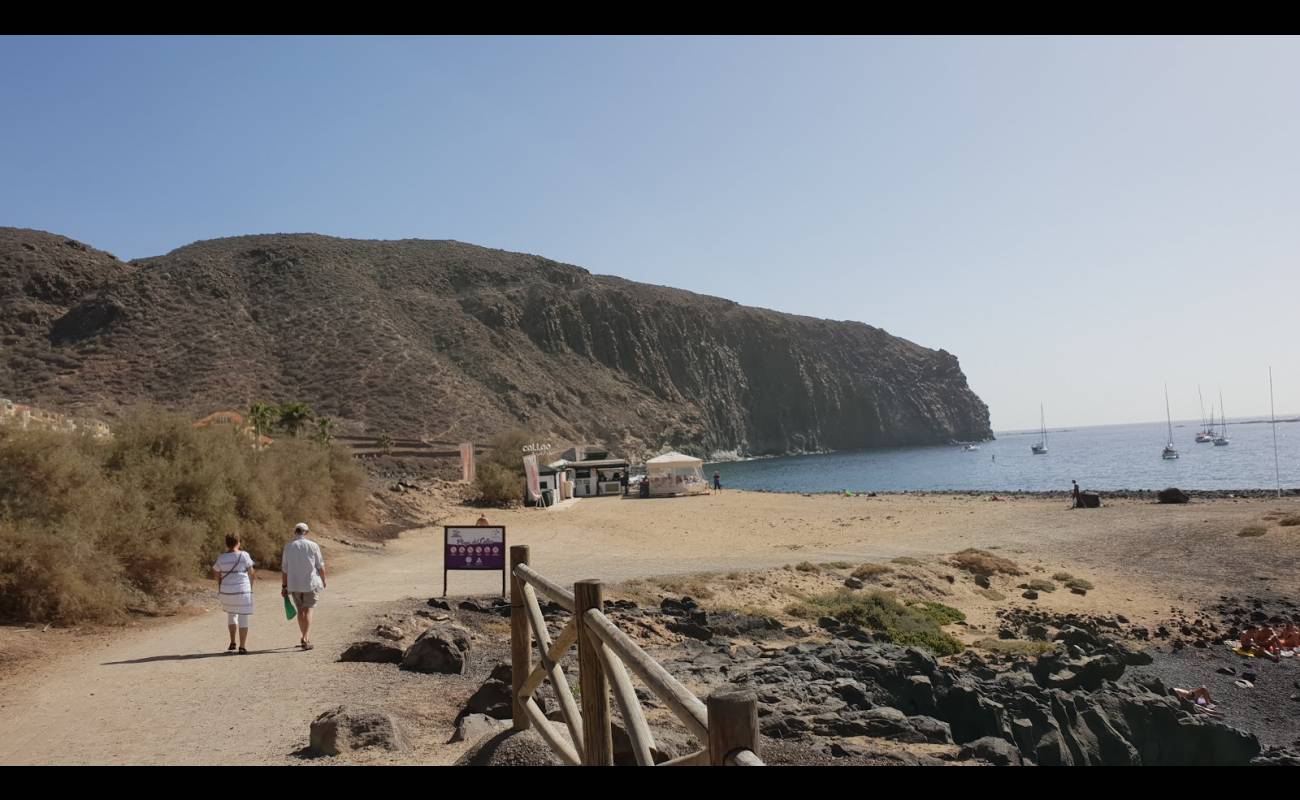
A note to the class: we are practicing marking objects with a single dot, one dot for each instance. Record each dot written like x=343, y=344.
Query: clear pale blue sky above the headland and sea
x=1080, y=220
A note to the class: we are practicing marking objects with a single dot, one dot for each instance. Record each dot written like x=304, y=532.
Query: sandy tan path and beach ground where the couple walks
x=171, y=695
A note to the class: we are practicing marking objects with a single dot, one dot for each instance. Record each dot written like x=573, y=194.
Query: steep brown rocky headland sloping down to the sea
x=449, y=340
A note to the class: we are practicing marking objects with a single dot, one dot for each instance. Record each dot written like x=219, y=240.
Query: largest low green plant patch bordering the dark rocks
x=920, y=625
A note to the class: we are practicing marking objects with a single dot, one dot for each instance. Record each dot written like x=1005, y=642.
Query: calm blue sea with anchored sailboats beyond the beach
x=1107, y=457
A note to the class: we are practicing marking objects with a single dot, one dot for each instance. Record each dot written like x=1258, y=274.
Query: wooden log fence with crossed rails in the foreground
x=726, y=727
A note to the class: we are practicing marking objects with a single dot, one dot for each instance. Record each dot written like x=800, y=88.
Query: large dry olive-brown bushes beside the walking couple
x=90, y=529
